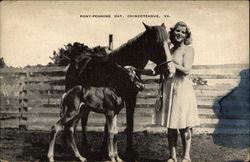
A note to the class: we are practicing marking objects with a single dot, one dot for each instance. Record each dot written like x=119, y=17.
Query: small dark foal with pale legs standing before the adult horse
x=108, y=101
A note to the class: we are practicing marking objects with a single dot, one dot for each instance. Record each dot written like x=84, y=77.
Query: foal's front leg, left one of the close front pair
x=110, y=142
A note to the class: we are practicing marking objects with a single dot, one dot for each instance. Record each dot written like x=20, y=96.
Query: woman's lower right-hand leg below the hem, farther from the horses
x=186, y=136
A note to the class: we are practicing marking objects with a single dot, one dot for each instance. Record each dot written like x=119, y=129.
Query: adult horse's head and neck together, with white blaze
x=152, y=45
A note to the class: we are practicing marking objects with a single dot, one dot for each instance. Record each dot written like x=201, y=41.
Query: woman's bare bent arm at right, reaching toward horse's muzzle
x=187, y=61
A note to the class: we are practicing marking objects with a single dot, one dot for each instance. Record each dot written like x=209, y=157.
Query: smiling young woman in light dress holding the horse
x=180, y=99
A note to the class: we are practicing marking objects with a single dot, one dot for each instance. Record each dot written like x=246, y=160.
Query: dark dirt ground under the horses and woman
x=21, y=145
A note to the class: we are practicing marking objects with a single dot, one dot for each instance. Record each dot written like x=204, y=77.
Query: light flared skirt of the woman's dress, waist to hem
x=179, y=106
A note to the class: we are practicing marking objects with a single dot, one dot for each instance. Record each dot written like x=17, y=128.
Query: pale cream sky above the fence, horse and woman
x=31, y=31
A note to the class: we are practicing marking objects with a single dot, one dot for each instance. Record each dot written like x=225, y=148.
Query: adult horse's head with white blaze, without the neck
x=157, y=39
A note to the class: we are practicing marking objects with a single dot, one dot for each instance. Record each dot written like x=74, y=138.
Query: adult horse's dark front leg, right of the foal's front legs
x=130, y=107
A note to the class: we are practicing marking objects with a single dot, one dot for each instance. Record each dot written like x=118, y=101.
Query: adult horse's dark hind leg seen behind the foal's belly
x=84, y=120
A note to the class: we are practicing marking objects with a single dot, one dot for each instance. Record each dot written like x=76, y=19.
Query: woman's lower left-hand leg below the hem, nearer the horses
x=172, y=141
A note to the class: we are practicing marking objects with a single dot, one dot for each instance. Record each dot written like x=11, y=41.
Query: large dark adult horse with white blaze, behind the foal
x=95, y=70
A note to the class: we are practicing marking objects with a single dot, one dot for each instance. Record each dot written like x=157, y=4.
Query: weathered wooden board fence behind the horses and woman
x=30, y=99
